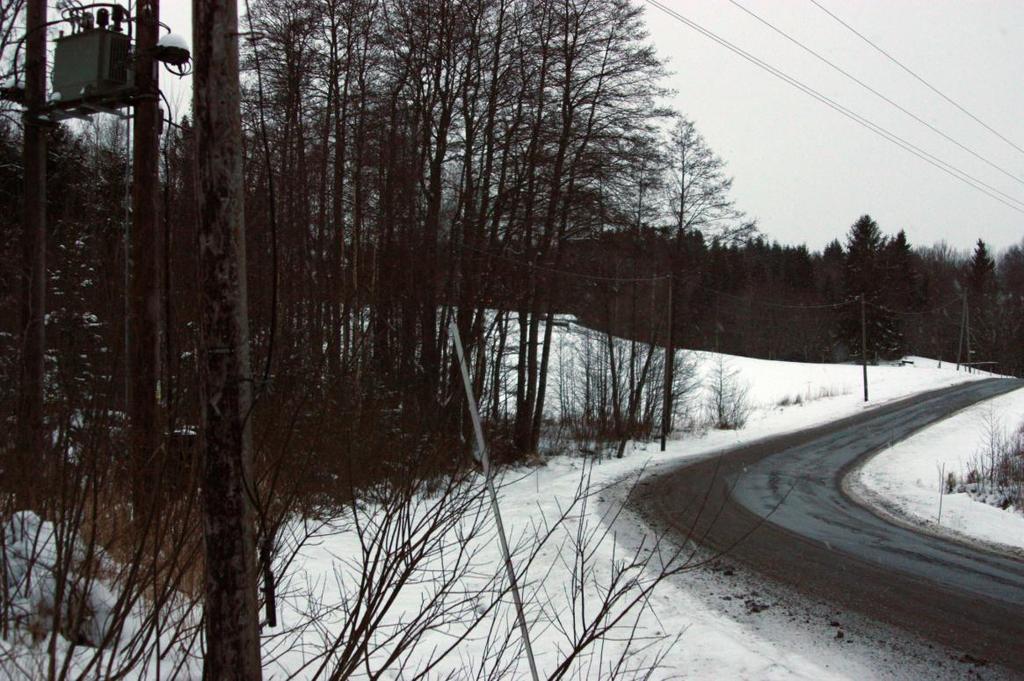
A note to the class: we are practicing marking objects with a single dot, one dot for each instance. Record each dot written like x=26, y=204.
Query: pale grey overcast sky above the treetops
x=807, y=173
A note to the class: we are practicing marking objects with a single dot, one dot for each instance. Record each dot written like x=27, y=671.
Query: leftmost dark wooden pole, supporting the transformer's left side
x=30, y=421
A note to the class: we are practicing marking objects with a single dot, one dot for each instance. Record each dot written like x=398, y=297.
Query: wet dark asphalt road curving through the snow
x=780, y=507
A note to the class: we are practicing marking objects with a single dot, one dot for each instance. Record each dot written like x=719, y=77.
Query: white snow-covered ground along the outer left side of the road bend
x=707, y=624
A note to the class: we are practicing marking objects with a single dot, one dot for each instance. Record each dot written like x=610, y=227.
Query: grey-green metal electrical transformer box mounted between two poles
x=93, y=66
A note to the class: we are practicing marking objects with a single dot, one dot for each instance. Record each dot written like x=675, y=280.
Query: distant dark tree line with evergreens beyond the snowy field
x=765, y=300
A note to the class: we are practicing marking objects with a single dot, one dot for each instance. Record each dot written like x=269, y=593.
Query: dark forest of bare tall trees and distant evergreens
x=415, y=166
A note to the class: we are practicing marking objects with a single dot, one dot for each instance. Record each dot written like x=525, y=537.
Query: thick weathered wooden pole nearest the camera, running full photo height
x=231, y=608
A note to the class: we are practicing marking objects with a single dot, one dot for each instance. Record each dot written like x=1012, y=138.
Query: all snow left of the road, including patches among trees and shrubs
x=700, y=640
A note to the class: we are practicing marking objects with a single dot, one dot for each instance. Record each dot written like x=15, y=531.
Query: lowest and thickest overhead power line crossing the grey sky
x=946, y=167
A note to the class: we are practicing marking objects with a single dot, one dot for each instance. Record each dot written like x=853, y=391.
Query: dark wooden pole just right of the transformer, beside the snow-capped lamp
x=145, y=313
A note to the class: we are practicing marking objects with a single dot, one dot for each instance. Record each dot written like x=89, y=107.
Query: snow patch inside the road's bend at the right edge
x=909, y=476
